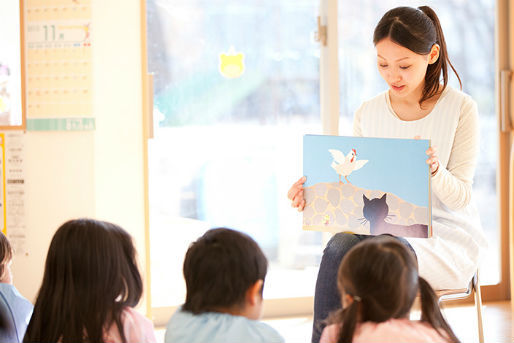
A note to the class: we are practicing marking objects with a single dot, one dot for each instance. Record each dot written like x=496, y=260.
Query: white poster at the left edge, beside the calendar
x=11, y=108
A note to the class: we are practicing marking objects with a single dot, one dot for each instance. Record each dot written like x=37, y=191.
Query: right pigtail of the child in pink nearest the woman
x=431, y=313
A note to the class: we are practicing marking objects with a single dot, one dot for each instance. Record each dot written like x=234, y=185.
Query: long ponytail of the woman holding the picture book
x=432, y=77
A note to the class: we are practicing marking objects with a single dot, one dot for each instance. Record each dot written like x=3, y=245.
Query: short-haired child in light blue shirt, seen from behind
x=224, y=272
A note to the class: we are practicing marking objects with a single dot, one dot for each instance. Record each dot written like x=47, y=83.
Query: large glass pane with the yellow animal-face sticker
x=236, y=87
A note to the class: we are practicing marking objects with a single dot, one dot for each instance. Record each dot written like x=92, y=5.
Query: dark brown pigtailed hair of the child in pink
x=381, y=275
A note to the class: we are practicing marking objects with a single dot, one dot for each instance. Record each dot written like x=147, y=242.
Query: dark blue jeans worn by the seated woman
x=326, y=297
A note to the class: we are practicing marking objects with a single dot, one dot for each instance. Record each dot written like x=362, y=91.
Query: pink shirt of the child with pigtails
x=391, y=331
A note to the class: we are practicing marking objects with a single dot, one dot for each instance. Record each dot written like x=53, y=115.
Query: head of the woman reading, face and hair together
x=411, y=51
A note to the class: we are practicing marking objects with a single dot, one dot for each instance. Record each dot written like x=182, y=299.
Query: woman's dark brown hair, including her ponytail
x=418, y=30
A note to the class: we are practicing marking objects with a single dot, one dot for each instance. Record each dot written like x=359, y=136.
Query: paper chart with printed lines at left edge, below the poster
x=12, y=193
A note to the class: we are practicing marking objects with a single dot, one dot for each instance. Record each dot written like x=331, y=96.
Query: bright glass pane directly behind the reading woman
x=471, y=50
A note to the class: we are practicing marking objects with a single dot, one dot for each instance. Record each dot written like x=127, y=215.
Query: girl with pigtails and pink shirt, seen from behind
x=378, y=281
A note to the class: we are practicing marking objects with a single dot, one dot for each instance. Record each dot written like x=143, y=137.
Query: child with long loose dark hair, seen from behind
x=90, y=285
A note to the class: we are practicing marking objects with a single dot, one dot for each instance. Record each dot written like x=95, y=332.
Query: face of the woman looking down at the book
x=402, y=69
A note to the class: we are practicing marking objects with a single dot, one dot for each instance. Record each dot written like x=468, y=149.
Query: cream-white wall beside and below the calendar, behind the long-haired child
x=96, y=174
